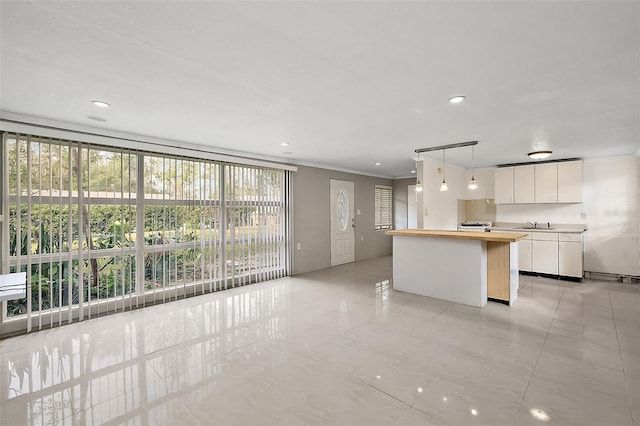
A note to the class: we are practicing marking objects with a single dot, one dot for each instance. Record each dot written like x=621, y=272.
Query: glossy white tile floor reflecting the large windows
x=338, y=346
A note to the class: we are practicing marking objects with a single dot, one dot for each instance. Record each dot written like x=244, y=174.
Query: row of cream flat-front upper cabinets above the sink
x=559, y=182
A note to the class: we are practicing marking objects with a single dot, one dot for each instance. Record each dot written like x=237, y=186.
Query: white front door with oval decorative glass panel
x=342, y=222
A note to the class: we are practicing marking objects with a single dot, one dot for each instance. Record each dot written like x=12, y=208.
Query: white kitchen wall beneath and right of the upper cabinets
x=611, y=213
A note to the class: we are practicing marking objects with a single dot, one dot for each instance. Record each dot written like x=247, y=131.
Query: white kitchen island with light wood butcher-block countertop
x=459, y=266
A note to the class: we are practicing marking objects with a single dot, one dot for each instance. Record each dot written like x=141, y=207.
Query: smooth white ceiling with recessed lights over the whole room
x=348, y=84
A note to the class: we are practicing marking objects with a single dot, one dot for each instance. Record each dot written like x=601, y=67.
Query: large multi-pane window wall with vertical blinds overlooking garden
x=101, y=229
